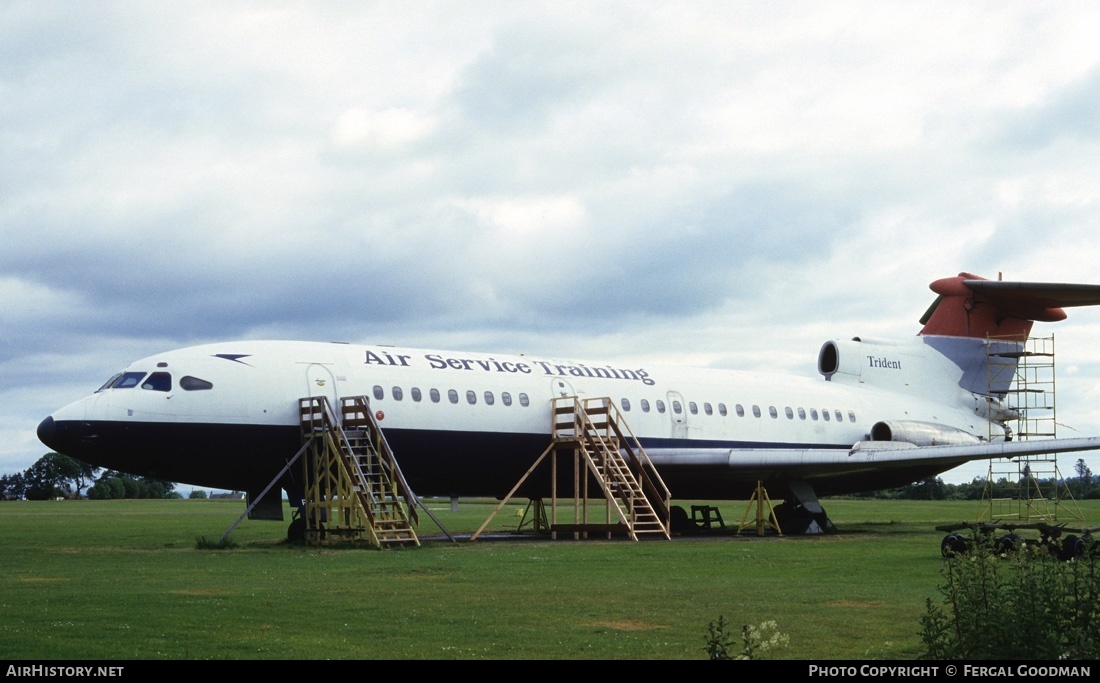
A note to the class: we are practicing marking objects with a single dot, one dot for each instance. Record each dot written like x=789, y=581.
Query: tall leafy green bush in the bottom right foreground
x=1016, y=605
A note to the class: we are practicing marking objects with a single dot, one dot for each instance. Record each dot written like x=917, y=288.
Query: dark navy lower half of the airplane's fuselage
x=435, y=464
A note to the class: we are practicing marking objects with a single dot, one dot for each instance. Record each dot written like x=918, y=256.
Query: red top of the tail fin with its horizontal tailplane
x=980, y=309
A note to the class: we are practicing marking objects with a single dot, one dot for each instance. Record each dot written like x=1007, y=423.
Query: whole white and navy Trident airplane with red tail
x=881, y=414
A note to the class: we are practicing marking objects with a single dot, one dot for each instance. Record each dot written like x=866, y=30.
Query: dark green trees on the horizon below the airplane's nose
x=56, y=476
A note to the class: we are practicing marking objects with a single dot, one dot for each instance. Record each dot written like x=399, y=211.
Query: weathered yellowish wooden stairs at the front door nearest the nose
x=355, y=490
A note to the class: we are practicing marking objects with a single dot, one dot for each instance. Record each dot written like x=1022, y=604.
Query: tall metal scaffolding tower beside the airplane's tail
x=1027, y=489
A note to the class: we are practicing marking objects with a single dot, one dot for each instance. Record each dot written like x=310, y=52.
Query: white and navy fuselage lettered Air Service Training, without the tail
x=226, y=415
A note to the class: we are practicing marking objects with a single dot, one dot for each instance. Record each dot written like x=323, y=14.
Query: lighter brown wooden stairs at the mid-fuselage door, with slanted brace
x=609, y=462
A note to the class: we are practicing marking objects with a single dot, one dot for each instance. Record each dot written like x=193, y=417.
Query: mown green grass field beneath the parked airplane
x=125, y=580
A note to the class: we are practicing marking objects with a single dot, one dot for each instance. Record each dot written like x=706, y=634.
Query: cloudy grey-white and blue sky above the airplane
x=729, y=184
